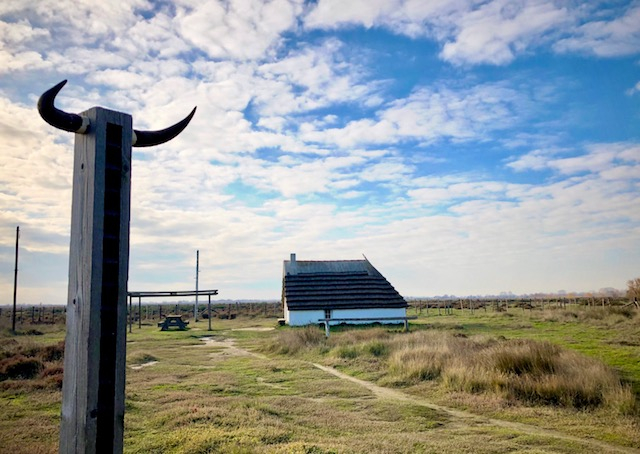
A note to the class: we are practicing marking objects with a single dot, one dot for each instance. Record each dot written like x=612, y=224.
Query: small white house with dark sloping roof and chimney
x=340, y=289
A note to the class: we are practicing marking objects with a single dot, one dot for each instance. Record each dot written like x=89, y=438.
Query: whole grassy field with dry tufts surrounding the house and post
x=251, y=387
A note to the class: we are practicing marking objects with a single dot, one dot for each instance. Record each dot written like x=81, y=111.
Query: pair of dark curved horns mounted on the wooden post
x=75, y=123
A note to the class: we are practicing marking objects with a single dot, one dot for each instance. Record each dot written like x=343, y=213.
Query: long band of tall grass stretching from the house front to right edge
x=523, y=370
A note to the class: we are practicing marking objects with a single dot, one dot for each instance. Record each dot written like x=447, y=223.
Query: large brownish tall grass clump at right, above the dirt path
x=520, y=370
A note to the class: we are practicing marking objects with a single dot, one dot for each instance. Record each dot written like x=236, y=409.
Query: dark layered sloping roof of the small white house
x=340, y=284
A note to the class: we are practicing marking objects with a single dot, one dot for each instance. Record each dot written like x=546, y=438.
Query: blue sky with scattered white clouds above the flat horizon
x=465, y=147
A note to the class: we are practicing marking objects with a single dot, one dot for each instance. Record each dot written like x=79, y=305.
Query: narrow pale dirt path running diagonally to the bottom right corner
x=392, y=394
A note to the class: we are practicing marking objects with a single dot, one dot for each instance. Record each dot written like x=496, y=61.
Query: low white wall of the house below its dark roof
x=301, y=318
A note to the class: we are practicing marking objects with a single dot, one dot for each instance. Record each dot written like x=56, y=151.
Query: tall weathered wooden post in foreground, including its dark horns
x=94, y=361
